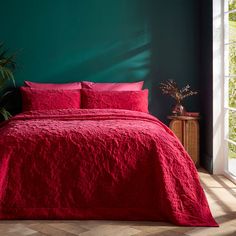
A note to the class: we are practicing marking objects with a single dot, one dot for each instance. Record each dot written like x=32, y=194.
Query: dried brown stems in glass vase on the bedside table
x=171, y=88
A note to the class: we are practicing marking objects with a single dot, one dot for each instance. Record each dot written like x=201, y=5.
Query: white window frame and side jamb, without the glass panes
x=220, y=90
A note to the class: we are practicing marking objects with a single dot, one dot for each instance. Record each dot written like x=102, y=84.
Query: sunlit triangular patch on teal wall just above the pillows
x=130, y=61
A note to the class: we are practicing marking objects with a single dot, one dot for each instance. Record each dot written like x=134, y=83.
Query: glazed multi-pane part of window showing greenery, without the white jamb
x=230, y=85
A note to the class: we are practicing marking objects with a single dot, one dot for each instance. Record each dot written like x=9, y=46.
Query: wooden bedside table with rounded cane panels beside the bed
x=186, y=128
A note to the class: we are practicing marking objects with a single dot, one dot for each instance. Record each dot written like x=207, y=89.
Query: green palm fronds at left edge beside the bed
x=7, y=66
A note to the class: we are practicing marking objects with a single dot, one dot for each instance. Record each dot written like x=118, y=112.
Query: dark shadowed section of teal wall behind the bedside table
x=174, y=29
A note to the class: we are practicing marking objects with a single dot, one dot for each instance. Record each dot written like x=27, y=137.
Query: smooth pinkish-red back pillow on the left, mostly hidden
x=75, y=85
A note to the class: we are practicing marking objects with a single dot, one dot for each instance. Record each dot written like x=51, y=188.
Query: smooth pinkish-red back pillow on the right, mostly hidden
x=136, y=86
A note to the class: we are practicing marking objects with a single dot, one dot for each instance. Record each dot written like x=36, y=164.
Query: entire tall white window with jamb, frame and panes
x=224, y=88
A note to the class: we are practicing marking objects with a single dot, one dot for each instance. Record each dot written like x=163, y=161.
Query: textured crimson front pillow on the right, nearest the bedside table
x=128, y=100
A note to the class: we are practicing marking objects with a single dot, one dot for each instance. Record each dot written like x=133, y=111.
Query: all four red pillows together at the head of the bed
x=86, y=95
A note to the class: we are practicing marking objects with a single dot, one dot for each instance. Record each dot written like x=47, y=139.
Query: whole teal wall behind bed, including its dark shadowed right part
x=105, y=40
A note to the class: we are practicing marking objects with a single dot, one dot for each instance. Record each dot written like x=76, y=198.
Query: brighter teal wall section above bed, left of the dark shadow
x=71, y=40
